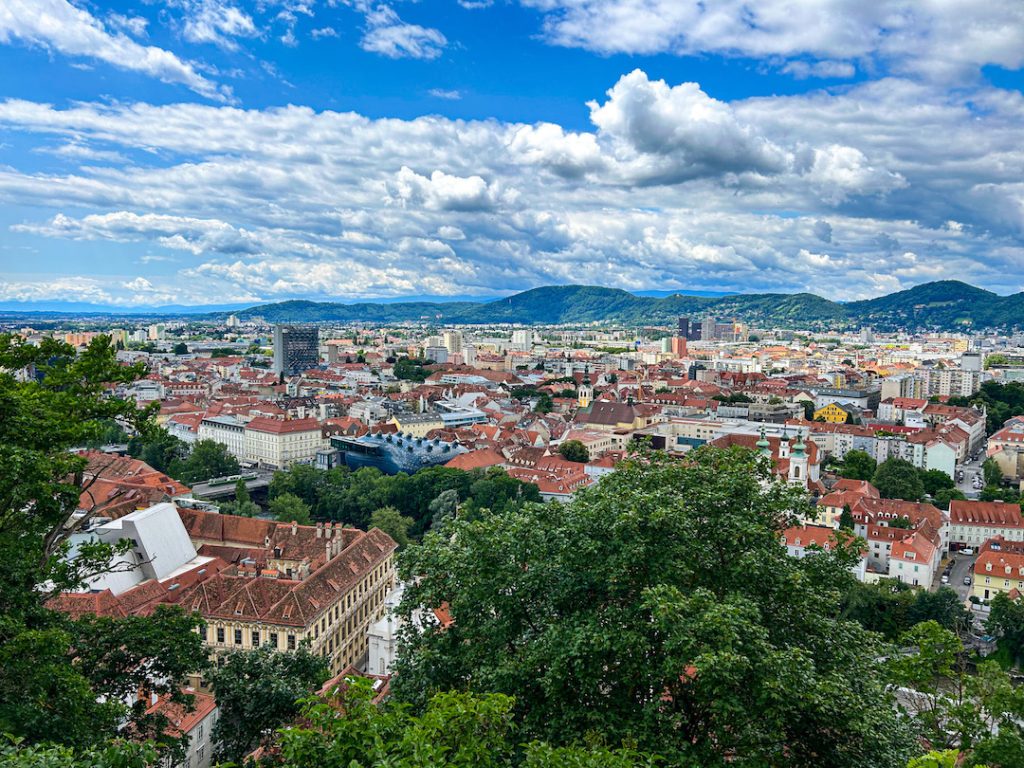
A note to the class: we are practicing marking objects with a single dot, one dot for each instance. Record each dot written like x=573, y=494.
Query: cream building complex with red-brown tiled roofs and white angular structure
x=254, y=582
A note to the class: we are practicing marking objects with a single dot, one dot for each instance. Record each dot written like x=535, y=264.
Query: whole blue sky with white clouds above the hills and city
x=230, y=152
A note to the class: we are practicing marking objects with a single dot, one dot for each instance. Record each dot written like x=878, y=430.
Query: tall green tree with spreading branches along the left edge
x=64, y=680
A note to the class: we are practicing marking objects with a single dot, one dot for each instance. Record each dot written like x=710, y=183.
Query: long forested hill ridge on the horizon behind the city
x=943, y=306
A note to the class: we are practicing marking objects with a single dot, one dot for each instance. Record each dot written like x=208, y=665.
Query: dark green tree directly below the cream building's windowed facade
x=259, y=692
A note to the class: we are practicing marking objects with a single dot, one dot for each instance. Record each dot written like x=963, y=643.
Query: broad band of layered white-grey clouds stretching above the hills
x=671, y=189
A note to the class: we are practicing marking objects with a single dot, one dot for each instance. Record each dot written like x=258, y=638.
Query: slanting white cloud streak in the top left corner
x=60, y=26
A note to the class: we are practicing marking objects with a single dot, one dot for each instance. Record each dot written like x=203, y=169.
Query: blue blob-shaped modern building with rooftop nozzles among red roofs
x=391, y=454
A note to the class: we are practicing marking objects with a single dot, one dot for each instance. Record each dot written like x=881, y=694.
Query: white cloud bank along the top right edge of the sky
x=935, y=39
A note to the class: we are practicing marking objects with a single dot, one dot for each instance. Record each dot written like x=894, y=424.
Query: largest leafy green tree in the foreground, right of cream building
x=655, y=638
